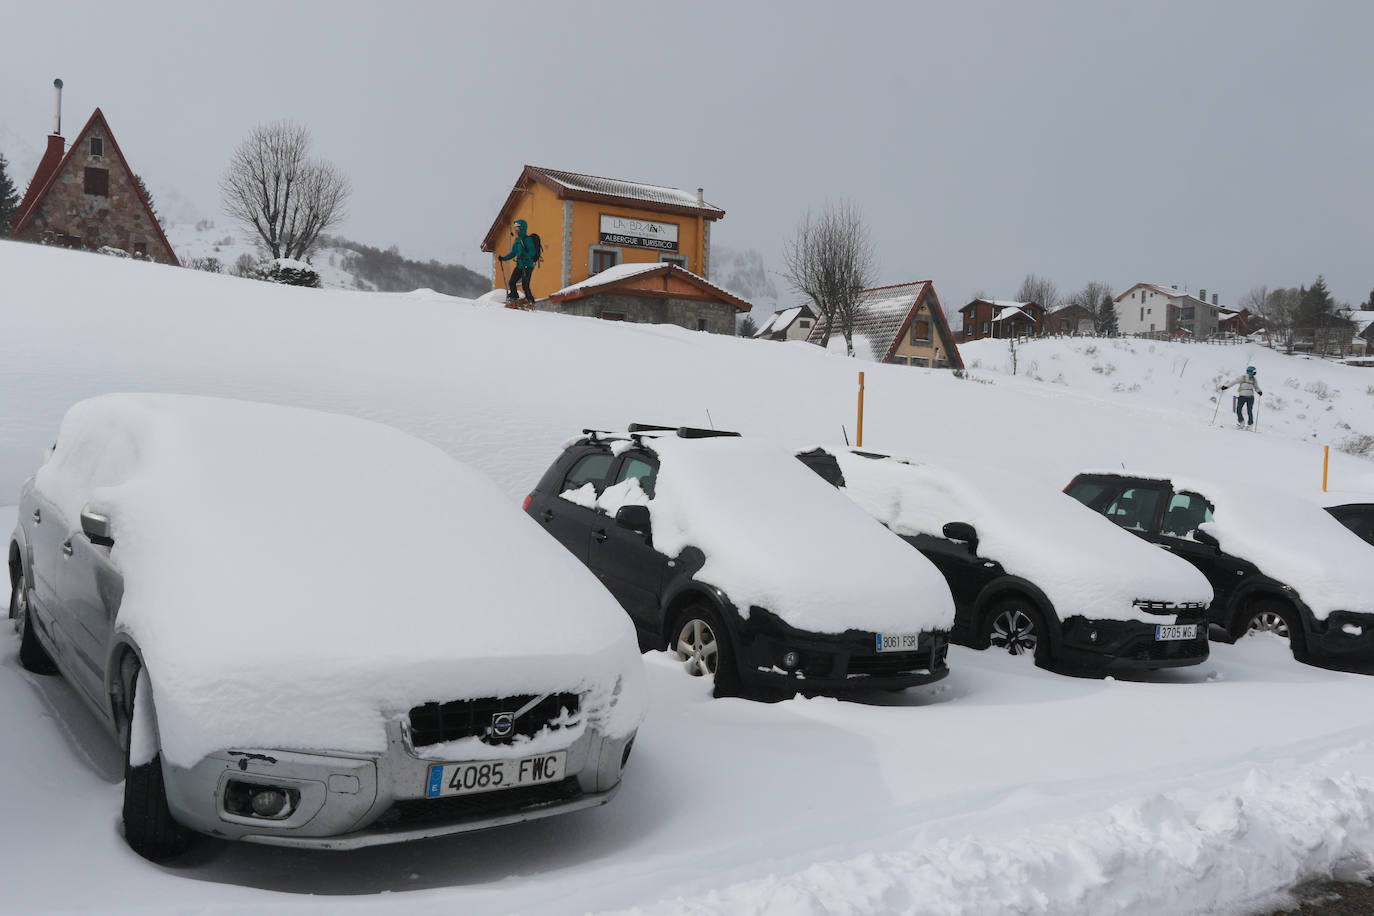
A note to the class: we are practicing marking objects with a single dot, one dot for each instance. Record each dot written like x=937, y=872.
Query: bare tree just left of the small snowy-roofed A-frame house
x=832, y=263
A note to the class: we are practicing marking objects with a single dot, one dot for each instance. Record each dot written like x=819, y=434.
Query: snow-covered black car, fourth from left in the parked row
x=1279, y=564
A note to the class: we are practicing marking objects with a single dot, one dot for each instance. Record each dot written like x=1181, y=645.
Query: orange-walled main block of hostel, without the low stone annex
x=589, y=225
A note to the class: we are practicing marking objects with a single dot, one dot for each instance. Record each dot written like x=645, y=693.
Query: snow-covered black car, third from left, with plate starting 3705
x=1033, y=573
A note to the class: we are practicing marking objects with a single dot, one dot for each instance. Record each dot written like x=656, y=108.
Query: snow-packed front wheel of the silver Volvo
x=149, y=827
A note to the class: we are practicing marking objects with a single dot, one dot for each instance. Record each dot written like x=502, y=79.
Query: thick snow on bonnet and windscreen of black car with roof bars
x=778, y=538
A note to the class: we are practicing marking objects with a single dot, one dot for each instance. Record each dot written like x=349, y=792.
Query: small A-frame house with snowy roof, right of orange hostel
x=902, y=325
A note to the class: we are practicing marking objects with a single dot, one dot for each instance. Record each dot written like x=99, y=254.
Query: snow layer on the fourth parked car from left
x=1291, y=539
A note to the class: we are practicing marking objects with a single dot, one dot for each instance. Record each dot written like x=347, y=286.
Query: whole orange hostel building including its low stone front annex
x=618, y=251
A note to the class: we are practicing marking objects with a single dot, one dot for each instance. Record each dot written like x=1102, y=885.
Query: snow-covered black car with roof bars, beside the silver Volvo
x=732, y=554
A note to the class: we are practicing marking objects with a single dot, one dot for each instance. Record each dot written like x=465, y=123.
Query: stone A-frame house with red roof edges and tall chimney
x=86, y=197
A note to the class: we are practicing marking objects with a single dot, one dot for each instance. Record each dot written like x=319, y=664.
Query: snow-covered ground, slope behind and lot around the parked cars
x=1002, y=790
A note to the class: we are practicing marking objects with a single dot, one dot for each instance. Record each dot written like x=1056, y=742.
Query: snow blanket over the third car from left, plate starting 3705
x=1083, y=564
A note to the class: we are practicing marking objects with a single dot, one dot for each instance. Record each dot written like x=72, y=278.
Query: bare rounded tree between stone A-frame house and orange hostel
x=277, y=190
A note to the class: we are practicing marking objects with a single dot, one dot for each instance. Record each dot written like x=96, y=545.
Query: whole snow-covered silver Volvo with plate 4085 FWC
x=304, y=630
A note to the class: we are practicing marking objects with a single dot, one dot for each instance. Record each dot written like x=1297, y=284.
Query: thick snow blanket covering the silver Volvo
x=296, y=579
